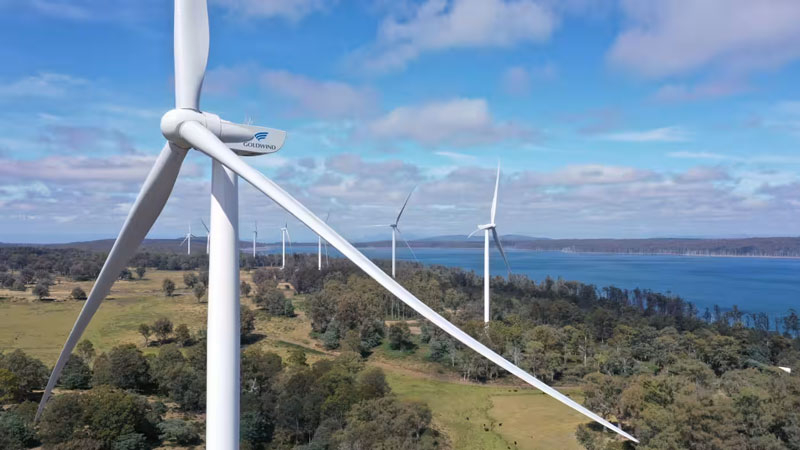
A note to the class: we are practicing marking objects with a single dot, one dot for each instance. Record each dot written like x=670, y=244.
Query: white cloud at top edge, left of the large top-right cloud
x=437, y=25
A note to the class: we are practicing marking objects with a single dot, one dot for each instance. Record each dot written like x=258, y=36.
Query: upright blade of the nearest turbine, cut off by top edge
x=191, y=51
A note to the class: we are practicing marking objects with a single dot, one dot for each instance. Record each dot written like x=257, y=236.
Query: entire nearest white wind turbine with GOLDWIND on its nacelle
x=187, y=127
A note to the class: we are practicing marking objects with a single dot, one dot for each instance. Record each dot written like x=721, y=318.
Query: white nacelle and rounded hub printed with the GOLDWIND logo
x=245, y=140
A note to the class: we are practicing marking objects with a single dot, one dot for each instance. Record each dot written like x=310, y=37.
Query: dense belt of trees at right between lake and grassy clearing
x=674, y=377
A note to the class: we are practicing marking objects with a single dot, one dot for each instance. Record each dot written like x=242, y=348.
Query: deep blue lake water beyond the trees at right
x=769, y=285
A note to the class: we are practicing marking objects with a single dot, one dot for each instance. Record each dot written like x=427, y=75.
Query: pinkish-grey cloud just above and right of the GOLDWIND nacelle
x=327, y=99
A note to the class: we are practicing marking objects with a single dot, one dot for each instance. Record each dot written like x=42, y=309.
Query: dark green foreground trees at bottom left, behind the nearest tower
x=332, y=404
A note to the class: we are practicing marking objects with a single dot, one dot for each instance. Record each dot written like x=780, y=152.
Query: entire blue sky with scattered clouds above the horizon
x=610, y=118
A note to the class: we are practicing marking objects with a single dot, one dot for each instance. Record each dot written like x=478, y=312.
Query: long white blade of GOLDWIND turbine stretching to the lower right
x=204, y=140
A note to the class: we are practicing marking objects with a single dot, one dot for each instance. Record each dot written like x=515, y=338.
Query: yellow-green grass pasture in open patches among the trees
x=527, y=416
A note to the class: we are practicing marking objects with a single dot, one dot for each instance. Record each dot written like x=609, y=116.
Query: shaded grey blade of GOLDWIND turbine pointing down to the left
x=151, y=200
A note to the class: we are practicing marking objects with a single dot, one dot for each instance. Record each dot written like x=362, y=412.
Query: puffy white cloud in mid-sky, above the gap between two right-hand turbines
x=462, y=122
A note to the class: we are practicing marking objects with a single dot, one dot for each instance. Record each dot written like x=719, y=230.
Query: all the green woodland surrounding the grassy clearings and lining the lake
x=673, y=376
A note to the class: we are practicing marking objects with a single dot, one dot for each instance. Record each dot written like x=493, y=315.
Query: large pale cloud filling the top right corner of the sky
x=674, y=37
